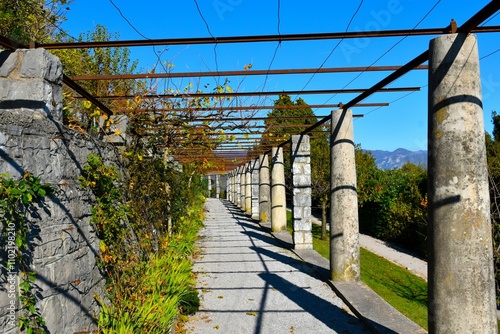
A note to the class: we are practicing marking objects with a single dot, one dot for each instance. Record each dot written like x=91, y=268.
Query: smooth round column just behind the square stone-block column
x=278, y=194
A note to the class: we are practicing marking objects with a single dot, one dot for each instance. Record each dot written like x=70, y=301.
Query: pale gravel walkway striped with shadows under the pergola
x=249, y=283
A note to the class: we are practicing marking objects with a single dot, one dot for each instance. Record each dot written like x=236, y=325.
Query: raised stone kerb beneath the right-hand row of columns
x=373, y=310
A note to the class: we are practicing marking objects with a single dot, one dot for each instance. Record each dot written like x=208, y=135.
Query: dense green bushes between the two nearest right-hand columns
x=392, y=203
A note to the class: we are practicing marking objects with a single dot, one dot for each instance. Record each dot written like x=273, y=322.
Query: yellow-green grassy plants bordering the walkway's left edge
x=158, y=291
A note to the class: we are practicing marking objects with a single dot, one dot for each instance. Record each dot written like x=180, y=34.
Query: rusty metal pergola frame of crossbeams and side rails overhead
x=470, y=26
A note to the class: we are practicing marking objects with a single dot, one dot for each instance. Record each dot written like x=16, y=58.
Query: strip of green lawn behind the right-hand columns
x=405, y=291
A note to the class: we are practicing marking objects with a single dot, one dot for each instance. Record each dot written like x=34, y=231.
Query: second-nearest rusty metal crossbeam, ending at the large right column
x=243, y=73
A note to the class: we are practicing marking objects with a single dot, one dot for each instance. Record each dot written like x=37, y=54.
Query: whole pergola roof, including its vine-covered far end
x=243, y=126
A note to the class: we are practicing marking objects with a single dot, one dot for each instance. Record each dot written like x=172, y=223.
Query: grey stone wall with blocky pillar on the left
x=33, y=139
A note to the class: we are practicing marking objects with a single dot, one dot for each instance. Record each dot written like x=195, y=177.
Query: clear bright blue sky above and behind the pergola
x=402, y=124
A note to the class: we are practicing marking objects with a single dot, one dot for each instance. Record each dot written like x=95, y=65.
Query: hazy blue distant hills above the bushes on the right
x=397, y=158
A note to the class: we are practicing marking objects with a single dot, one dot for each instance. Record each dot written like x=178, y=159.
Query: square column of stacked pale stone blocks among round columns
x=301, y=182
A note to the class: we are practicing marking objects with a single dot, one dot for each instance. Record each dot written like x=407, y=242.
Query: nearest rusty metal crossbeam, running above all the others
x=262, y=38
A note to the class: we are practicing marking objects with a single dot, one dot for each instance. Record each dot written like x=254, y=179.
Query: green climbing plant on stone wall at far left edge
x=17, y=201
